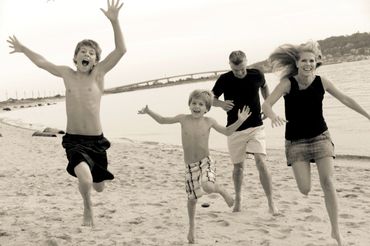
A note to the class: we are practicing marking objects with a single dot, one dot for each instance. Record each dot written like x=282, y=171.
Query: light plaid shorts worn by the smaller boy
x=196, y=173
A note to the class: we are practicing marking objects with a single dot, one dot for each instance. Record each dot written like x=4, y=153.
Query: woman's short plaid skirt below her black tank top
x=310, y=149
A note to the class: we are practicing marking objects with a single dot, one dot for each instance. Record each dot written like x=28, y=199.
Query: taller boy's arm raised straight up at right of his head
x=112, y=14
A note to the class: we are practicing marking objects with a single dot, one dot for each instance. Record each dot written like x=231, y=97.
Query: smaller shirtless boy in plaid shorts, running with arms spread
x=200, y=174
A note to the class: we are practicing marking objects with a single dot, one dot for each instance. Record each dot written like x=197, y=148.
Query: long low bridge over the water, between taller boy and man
x=167, y=81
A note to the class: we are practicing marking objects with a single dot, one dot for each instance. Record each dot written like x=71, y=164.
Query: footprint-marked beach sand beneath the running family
x=146, y=203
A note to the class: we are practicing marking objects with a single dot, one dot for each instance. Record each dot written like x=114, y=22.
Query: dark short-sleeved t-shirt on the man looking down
x=243, y=92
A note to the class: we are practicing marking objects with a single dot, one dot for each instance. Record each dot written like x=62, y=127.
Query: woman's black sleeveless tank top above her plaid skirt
x=303, y=110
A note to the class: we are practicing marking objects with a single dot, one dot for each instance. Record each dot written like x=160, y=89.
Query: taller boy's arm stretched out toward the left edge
x=37, y=59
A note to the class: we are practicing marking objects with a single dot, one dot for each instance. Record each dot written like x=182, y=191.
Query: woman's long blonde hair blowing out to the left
x=284, y=58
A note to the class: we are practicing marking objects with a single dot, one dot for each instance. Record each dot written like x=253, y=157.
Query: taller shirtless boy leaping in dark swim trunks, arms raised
x=84, y=141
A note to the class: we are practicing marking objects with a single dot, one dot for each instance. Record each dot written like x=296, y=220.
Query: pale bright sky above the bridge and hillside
x=163, y=37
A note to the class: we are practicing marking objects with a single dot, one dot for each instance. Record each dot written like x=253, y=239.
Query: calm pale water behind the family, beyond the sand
x=350, y=131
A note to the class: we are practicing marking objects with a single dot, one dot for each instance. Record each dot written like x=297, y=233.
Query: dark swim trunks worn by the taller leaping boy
x=89, y=149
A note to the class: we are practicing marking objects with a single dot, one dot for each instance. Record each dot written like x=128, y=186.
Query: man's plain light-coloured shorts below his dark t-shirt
x=248, y=141
